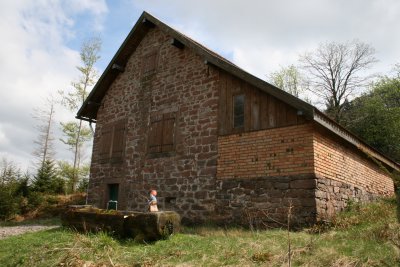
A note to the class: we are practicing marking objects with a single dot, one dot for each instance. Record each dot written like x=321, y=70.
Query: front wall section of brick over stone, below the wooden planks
x=261, y=174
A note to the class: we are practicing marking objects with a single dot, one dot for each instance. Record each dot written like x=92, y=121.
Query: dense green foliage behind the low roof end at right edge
x=375, y=116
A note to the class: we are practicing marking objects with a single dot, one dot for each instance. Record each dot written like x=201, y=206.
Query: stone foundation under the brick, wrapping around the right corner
x=266, y=201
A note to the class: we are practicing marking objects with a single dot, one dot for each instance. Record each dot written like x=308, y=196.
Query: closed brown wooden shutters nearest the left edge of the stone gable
x=112, y=142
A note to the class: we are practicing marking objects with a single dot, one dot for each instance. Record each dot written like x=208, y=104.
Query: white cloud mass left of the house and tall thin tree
x=35, y=62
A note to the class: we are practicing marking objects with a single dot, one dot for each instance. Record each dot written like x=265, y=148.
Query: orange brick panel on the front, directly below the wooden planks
x=273, y=152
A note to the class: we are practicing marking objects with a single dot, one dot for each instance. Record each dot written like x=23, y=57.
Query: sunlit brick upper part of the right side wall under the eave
x=338, y=162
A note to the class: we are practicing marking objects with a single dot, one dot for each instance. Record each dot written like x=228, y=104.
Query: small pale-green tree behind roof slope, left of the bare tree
x=288, y=79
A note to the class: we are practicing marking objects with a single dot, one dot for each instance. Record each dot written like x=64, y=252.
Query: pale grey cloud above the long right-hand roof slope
x=261, y=35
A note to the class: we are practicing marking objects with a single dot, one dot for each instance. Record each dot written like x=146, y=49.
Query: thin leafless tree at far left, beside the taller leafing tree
x=44, y=143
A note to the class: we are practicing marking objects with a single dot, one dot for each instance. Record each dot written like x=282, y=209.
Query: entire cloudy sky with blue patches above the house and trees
x=41, y=40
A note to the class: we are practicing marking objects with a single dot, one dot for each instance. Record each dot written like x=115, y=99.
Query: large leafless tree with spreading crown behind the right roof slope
x=335, y=72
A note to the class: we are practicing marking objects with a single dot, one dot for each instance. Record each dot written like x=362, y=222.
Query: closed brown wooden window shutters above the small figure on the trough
x=161, y=133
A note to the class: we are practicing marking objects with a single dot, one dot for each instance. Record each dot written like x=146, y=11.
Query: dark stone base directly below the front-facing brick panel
x=265, y=201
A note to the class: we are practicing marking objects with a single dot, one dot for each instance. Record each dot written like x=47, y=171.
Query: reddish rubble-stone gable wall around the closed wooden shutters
x=181, y=84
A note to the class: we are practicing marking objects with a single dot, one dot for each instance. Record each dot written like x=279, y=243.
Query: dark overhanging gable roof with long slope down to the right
x=89, y=108
